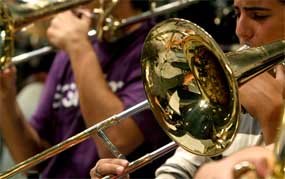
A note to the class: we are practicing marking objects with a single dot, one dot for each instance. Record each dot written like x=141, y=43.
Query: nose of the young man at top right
x=244, y=29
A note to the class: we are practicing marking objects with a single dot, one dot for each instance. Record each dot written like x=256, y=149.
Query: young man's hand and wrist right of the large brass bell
x=263, y=98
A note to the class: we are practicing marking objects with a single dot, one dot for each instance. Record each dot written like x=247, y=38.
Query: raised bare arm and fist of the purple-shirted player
x=97, y=101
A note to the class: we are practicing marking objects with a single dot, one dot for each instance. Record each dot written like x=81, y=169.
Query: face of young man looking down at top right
x=259, y=21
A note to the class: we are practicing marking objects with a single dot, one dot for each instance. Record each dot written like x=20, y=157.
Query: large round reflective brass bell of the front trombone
x=190, y=87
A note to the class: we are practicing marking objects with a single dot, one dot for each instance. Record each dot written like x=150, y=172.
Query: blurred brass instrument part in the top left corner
x=14, y=16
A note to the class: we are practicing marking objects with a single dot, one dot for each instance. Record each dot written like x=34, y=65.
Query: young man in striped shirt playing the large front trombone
x=258, y=22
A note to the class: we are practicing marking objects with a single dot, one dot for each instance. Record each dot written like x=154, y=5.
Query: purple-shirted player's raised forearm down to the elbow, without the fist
x=98, y=102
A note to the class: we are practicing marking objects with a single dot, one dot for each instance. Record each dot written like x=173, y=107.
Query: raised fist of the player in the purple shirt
x=67, y=30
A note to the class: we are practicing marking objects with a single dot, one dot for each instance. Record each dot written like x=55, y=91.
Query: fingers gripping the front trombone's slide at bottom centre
x=106, y=167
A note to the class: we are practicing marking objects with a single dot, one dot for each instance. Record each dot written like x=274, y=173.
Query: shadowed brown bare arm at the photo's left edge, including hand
x=21, y=139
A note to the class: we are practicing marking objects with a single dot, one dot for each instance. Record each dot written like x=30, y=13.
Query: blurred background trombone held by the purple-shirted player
x=111, y=28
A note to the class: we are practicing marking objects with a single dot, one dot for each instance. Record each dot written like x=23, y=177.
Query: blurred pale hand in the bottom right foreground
x=260, y=157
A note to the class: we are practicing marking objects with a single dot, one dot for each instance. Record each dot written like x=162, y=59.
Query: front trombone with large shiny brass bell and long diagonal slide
x=191, y=87
